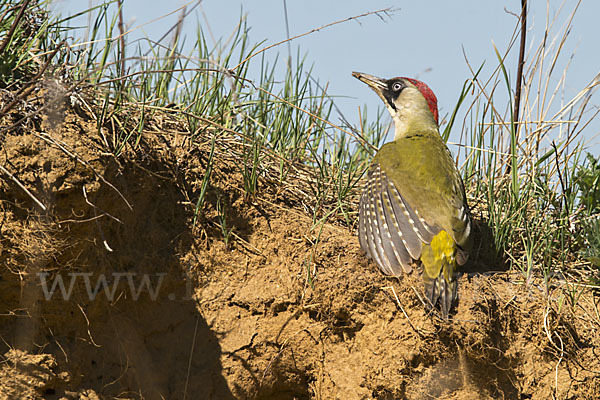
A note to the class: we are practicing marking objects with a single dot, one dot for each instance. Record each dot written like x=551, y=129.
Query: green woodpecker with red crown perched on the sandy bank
x=413, y=207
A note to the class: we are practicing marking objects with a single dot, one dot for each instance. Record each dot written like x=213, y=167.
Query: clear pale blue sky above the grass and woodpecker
x=423, y=39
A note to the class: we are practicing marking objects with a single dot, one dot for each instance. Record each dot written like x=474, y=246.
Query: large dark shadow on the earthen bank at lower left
x=123, y=323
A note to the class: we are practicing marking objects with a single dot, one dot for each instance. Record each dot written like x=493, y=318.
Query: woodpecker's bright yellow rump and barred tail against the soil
x=439, y=271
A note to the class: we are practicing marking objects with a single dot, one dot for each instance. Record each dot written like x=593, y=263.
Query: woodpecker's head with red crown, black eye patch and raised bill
x=411, y=103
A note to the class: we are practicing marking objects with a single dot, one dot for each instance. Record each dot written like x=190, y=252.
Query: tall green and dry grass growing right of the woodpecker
x=523, y=175
